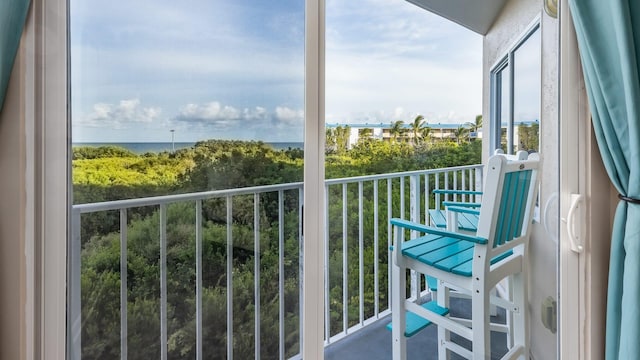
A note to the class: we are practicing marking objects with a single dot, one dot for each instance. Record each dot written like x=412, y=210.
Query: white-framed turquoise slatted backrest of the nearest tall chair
x=510, y=193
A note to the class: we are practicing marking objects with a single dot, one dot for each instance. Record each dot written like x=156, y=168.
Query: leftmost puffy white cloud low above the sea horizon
x=119, y=116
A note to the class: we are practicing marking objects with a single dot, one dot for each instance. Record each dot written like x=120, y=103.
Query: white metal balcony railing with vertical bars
x=357, y=212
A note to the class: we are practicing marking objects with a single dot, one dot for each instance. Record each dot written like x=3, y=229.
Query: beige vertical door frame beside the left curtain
x=43, y=110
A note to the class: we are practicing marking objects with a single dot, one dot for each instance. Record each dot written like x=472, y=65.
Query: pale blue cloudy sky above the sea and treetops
x=234, y=69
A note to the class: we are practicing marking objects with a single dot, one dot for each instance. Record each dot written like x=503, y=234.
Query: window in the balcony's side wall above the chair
x=515, y=96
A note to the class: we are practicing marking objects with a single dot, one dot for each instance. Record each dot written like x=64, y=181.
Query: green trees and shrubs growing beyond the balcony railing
x=110, y=173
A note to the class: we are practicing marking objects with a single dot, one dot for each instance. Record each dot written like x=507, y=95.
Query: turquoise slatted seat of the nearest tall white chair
x=445, y=253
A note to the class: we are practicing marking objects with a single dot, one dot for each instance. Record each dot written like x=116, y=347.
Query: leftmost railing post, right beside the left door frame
x=75, y=291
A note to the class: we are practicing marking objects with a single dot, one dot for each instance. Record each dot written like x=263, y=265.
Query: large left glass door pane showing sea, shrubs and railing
x=200, y=98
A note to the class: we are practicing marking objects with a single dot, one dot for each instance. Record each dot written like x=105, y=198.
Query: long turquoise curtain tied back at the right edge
x=609, y=40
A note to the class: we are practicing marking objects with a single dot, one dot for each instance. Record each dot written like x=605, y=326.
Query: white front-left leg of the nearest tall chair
x=398, y=312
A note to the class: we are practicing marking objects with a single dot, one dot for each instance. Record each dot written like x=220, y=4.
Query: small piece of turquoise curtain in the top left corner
x=13, y=14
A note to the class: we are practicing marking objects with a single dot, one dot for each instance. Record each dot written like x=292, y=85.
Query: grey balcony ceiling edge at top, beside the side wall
x=475, y=15
